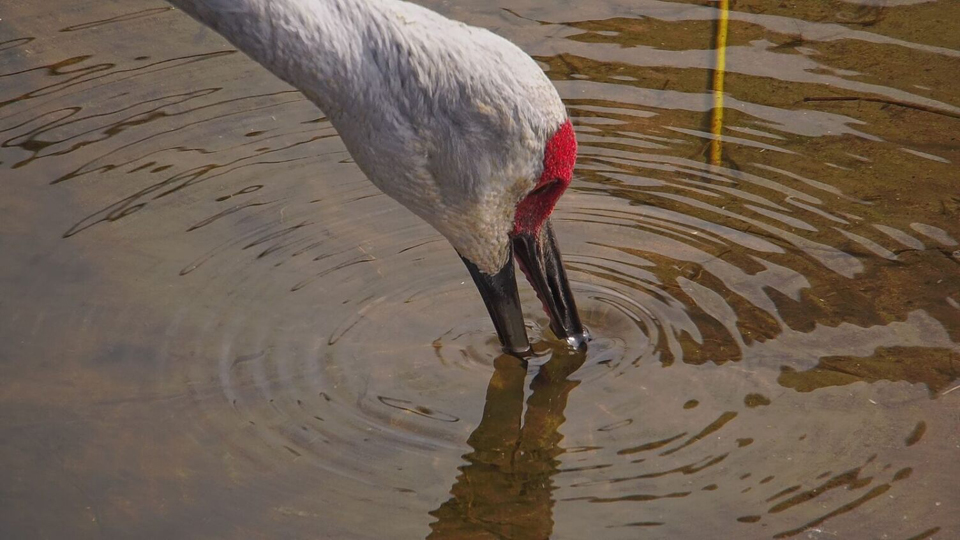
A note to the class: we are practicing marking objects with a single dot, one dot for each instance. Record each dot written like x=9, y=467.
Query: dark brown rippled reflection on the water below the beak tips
x=506, y=489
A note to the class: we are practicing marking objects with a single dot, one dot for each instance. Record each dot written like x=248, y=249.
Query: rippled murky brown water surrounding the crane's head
x=212, y=326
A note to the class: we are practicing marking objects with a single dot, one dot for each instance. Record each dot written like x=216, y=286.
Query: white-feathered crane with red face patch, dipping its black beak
x=454, y=122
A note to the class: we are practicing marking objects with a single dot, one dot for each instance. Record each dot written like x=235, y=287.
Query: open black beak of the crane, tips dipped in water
x=539, y=258
